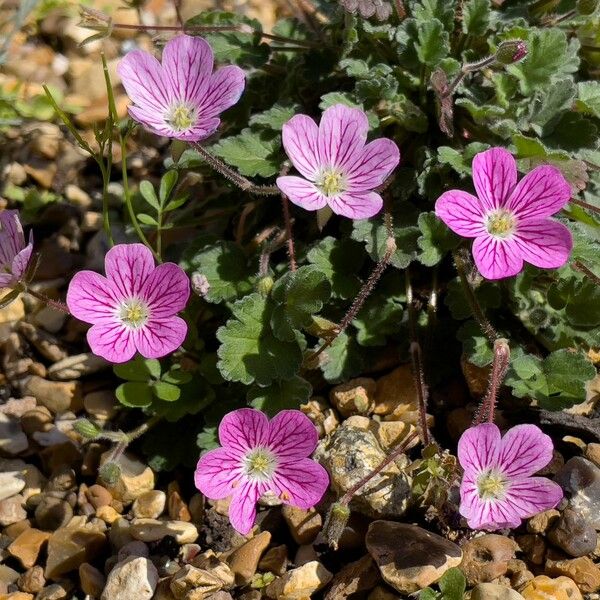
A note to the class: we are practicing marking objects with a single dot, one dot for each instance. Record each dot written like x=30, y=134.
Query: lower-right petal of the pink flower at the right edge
x=546, y=243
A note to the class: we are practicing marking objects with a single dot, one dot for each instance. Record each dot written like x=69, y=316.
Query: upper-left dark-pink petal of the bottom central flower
x=244, y=429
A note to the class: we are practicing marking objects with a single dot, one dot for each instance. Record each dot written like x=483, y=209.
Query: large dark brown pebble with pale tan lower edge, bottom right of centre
x=409, y=557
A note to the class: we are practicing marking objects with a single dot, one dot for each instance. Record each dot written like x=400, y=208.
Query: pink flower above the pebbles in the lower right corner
x=497, y=488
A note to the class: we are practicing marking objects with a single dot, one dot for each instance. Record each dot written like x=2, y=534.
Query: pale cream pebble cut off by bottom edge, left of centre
x=133, y=578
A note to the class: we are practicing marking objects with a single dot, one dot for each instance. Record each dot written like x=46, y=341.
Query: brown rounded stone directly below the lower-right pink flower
x=485, y=558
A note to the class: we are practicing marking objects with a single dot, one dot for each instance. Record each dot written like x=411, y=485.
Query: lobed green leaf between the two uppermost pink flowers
x=251, y=152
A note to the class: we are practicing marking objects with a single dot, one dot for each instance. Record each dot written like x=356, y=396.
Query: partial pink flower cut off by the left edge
x=14, y=253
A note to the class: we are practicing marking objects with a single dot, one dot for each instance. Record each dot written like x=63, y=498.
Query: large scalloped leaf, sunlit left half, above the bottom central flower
x=249, y=351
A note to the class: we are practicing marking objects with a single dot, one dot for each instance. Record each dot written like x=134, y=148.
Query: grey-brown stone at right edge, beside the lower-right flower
x=580, y=479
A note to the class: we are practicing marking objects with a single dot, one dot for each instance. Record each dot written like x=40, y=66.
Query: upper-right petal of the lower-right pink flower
x=524, y=451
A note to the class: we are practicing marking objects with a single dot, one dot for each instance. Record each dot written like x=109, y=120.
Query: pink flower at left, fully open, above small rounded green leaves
x=134, y=307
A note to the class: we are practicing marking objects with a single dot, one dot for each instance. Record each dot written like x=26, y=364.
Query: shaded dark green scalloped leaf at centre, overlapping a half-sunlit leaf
x=298, y=295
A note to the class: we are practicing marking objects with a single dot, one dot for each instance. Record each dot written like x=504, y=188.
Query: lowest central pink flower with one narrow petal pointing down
x=260, y=456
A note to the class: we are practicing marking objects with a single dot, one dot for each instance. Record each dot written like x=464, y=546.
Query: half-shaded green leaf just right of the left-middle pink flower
x=226, y=268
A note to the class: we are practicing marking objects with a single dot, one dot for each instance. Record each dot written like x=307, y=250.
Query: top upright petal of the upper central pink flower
x=342, y=135
